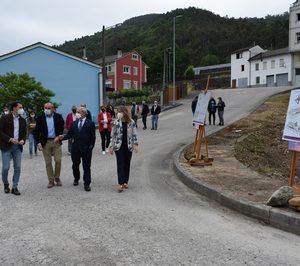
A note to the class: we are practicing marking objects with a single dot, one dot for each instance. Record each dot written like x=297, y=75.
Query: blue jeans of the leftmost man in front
x=15, y=153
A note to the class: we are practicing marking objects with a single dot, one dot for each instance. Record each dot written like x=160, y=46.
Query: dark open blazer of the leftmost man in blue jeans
x=7, y=131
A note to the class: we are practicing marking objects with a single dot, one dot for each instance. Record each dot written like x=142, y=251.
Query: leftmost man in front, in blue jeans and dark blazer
x=12, y=139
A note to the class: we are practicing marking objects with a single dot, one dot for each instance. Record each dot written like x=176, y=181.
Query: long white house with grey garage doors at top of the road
x=271, y=68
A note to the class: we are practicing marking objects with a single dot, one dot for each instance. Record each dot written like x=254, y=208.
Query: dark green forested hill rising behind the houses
x=198, y=33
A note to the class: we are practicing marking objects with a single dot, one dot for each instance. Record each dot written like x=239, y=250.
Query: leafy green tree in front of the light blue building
x=25, y=89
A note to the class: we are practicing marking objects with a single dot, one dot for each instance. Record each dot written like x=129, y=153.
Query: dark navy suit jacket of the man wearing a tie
x=83, y=140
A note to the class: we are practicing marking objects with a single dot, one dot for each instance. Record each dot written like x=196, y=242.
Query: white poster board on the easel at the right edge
x=291, y=130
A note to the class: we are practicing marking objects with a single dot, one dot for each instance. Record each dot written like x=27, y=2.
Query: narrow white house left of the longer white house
x=240, y=66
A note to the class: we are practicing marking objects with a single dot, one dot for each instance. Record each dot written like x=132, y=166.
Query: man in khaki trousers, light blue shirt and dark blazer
x=48, y=128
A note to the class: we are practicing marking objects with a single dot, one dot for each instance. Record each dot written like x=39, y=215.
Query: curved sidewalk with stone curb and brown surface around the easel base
x=233, y=185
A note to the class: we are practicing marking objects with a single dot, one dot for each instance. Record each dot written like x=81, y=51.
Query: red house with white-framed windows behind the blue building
x=124, y=70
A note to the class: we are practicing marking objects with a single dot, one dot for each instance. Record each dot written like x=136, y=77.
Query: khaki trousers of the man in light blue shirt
x=49, y=150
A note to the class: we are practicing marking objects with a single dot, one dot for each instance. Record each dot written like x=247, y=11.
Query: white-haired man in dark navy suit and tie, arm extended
x=83, y=133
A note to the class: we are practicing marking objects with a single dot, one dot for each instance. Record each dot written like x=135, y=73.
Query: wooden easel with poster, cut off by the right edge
x=291, y=133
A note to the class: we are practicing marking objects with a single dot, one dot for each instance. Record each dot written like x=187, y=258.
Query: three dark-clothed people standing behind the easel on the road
x=212, y=108
